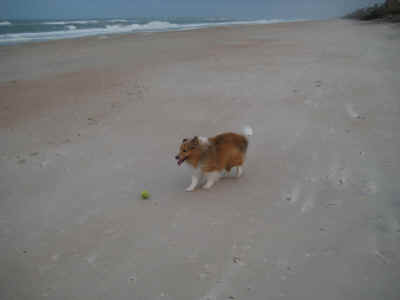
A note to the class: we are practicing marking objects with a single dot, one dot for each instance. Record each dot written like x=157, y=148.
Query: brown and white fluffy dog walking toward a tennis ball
x=213, y=156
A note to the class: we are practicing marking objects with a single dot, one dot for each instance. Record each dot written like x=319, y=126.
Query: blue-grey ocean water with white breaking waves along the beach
x=18, y=31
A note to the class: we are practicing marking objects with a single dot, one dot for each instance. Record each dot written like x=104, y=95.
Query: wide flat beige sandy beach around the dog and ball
x=87, y=124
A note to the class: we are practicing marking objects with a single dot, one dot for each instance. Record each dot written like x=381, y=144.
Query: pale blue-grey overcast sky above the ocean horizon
x=73, y=9
